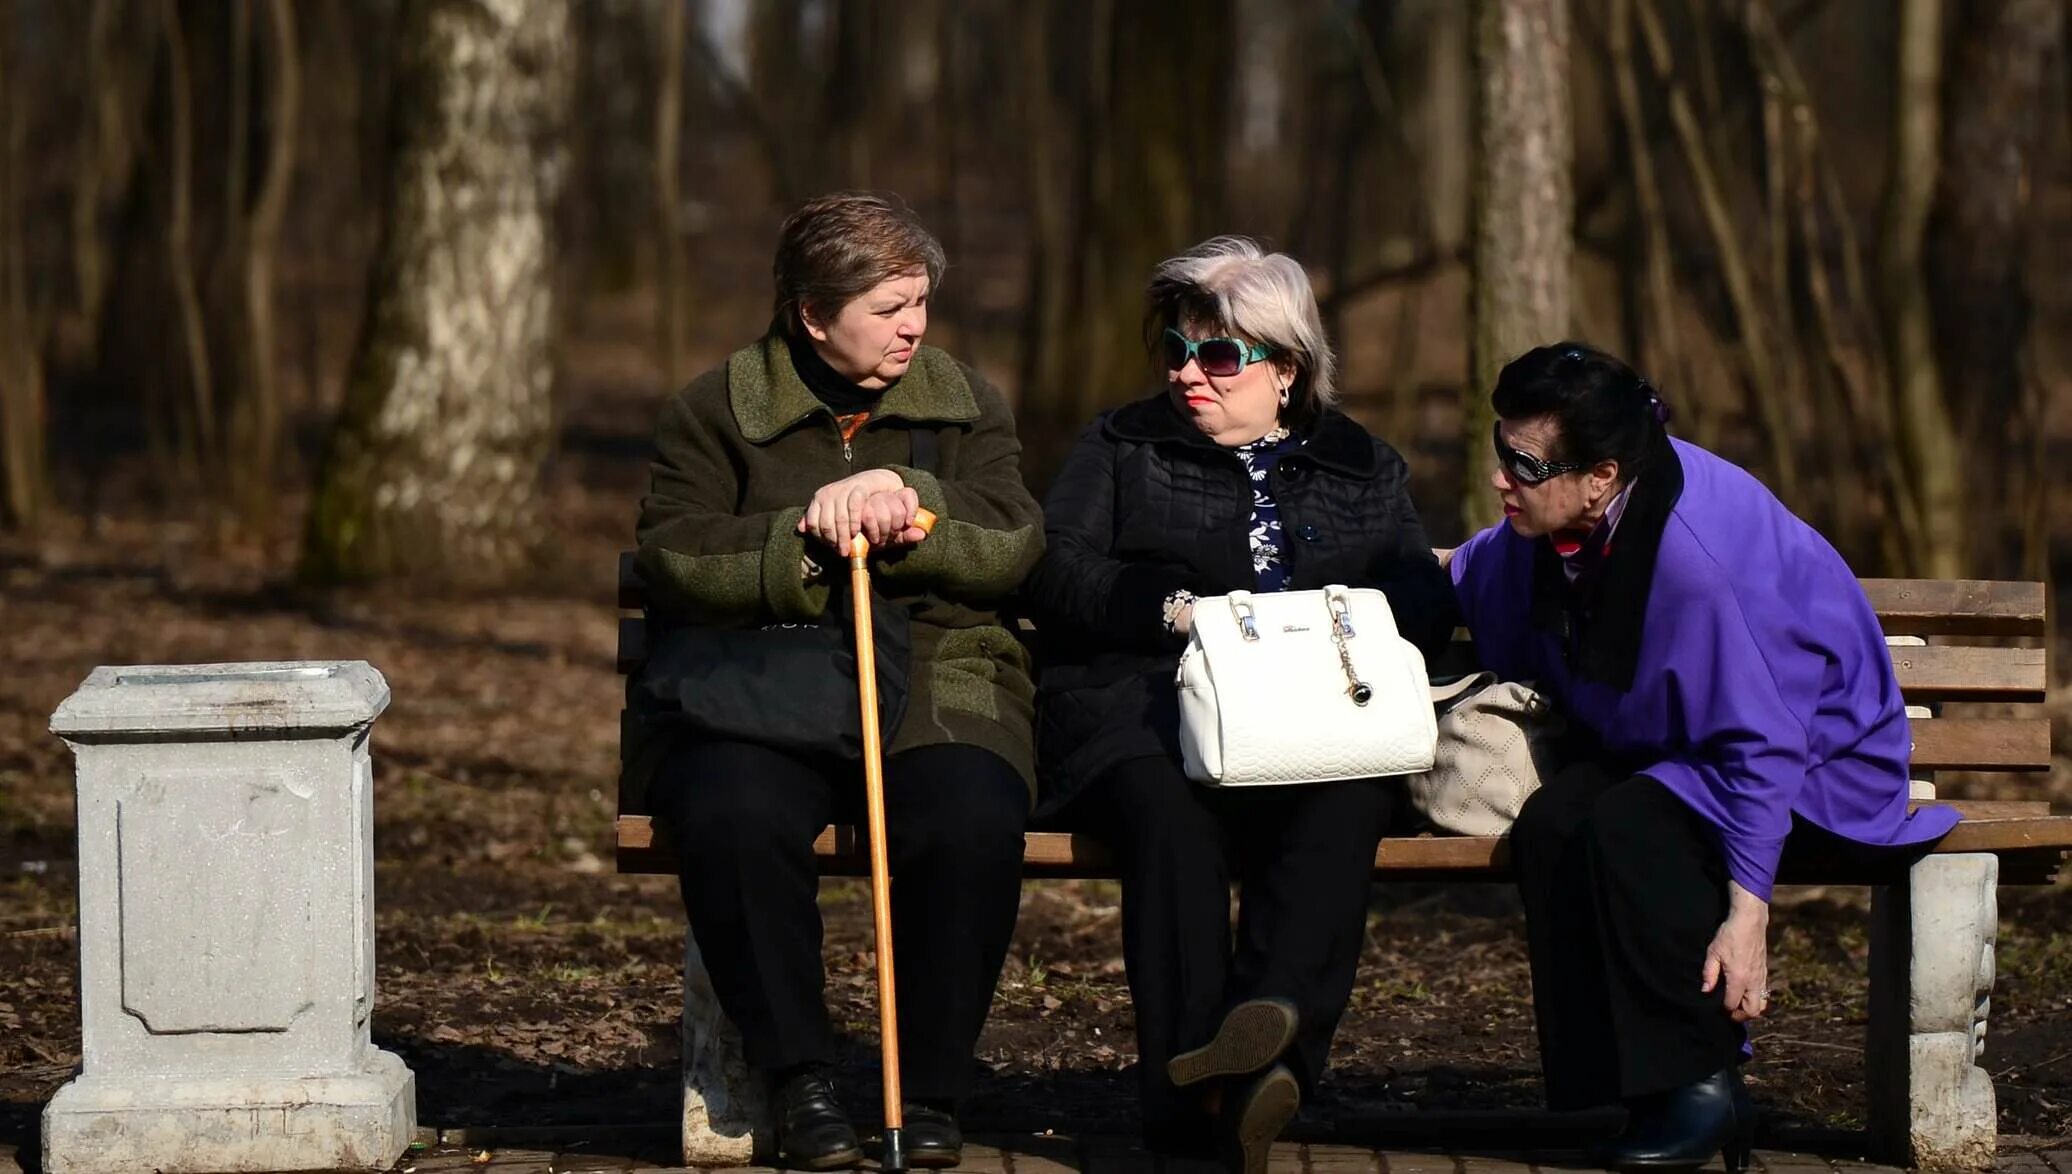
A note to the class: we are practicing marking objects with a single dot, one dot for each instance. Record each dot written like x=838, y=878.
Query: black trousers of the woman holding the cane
x=745, y=819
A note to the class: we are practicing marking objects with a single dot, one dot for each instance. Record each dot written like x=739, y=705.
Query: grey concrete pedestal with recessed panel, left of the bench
x=227, y=935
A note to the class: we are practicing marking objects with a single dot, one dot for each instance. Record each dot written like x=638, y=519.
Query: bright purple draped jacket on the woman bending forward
x=1725, y=651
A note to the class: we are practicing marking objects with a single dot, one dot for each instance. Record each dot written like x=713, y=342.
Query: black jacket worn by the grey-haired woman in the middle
x=1147, y=504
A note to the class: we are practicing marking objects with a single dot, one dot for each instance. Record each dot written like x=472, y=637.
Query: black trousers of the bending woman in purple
x=1625, y=887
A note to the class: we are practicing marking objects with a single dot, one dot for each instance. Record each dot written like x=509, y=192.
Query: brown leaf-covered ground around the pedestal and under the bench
x=529, y=985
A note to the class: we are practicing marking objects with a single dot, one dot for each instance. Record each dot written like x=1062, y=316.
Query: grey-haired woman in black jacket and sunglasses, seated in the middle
x=1240, y=473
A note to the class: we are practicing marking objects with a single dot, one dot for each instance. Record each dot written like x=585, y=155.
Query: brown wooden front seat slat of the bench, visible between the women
x=1990, y=825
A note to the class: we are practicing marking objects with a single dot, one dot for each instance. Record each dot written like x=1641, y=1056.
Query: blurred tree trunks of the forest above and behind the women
x=349, y=276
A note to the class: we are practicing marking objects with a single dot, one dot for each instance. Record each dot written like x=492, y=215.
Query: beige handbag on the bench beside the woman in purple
x=1495, y=746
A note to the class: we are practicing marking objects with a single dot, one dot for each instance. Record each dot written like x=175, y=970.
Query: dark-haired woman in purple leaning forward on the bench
x=1735, y=709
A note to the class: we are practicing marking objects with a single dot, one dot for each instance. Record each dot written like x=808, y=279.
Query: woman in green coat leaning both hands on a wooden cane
x=842, y=423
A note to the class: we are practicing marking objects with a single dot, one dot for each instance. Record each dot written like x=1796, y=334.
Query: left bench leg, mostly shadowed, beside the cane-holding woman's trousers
x=726, y=1115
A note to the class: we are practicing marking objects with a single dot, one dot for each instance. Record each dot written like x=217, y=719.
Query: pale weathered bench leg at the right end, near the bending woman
x=1932, y=982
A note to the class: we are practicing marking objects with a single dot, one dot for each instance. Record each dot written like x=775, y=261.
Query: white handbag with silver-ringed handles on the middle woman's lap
x=1302, y=686
